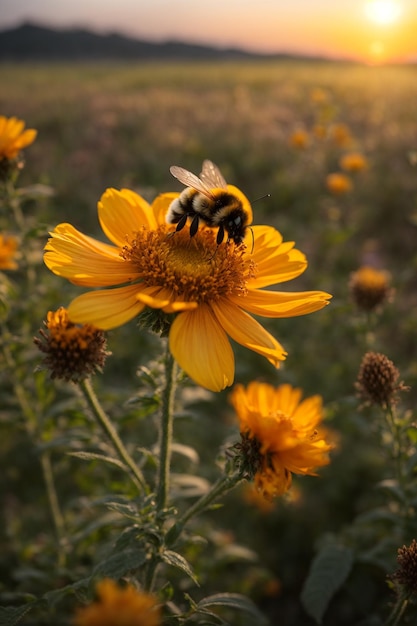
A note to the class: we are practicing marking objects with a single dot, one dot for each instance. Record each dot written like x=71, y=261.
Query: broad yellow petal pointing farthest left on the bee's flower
x=86, y=261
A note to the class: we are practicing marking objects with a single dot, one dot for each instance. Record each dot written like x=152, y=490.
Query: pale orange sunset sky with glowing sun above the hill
x=369, y=30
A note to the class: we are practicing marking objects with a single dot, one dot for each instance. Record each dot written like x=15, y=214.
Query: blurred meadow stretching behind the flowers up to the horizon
x=275, y=129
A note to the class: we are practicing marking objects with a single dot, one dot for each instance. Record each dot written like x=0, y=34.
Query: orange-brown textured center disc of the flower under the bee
x=194, y=268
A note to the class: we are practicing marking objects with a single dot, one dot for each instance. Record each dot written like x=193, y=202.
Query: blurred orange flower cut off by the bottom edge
x=117, y=606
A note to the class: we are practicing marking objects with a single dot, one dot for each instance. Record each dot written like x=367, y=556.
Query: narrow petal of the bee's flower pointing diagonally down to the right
x=248, y=332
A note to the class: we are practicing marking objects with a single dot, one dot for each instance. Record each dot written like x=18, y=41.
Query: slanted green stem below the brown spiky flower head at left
x=107, y=426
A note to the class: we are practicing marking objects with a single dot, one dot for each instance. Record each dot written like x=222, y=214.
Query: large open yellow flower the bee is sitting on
x=211, y=289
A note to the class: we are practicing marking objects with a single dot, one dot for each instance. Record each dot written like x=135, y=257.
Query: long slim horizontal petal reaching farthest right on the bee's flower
x=281, y=304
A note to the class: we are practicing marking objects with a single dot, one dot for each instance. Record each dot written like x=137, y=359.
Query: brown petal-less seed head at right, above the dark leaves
x=377, y=381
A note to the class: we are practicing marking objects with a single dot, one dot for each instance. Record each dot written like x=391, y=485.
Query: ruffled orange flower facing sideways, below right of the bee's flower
x=279, y=434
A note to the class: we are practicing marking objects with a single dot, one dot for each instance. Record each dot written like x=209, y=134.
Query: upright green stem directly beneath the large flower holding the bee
x=166, y=428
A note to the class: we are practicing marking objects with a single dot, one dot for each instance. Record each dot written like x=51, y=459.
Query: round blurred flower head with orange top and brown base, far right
x=370, y=288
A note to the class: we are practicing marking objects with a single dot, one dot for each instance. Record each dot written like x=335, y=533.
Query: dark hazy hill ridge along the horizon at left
x=33, y=42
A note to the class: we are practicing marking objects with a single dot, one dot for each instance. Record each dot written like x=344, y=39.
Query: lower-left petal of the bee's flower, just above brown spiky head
x=106, y=309
